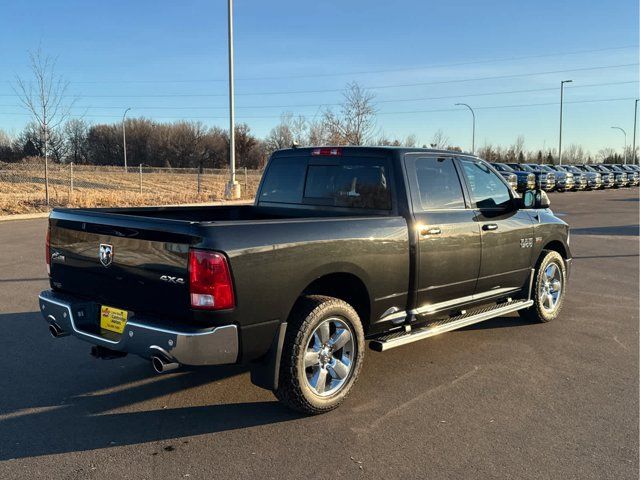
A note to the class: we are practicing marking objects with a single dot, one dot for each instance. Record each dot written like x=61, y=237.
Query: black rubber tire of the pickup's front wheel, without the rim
x=540, y=310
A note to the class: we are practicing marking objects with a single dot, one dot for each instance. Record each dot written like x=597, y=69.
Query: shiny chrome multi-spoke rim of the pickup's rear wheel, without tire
x=329, y=356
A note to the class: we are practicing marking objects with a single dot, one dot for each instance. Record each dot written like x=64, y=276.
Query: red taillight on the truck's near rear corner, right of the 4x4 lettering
x=210, y=284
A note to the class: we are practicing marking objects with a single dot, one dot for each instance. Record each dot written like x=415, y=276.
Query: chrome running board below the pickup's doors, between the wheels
x=397, y=339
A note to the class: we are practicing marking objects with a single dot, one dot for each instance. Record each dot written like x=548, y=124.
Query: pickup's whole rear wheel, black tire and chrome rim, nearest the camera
x=322, y=355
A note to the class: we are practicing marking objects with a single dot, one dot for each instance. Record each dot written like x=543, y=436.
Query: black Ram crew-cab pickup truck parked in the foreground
x=342, y=245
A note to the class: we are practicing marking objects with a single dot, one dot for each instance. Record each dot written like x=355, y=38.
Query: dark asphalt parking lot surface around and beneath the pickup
x=502, y=399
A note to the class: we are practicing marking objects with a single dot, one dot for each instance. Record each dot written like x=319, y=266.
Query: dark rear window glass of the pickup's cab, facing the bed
x=357, y=184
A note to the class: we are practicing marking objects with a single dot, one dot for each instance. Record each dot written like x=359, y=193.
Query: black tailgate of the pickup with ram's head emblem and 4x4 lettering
x=132, y=263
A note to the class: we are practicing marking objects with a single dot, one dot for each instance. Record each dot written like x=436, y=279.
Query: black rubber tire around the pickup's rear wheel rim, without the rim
x=294, y=387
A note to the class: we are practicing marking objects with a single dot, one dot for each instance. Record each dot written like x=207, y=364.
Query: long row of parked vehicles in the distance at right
x=562, y=178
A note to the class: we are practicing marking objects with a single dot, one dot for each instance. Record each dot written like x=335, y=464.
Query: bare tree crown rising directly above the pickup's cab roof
x=355, y=123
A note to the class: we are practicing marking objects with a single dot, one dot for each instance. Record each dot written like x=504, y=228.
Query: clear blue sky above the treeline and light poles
x=167, y=61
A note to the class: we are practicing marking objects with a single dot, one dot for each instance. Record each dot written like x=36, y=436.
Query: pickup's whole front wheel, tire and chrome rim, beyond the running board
x=549, y=288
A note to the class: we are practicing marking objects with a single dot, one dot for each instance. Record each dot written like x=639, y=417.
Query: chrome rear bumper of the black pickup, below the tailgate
x=145, y=337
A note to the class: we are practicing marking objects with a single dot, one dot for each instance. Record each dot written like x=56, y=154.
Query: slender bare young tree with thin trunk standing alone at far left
x=45, y=99
